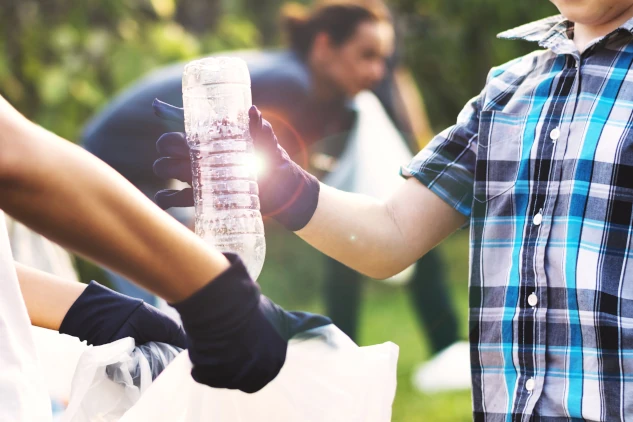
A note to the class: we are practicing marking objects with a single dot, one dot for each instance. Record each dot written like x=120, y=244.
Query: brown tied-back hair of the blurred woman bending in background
x=338, y=19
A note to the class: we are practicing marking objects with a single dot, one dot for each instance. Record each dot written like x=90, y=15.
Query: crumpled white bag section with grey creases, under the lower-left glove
x=110, y=379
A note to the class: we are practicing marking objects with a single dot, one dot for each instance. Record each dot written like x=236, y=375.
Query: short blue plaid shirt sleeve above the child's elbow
x=447, y=164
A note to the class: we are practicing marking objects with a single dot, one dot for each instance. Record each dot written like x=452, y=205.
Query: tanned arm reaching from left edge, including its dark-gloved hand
x=76, y=200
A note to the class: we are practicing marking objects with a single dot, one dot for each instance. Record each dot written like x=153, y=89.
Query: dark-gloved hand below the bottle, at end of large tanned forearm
x=237, y=337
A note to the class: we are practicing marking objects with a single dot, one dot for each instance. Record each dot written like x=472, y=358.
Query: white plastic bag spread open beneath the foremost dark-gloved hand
x=326, y=378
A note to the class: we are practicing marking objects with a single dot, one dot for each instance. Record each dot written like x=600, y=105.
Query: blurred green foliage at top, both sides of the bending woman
x=61, y=60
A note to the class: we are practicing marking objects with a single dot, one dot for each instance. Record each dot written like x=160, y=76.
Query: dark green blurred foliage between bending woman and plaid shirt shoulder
x=450, y=45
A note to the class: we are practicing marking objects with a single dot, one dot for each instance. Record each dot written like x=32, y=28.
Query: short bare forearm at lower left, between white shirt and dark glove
x=48, y=298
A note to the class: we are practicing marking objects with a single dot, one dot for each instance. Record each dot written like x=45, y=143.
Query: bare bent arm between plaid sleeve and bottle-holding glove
x=380, y=238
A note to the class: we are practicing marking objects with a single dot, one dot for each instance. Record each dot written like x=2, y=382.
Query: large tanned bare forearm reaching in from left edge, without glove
x=70, y=196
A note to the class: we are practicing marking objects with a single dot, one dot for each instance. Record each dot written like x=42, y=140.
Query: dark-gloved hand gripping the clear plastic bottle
x=286, y=191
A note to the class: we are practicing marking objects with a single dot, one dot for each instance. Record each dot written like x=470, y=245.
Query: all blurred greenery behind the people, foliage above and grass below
x=61, y=60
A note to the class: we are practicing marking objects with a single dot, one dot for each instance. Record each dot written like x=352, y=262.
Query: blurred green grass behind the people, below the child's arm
x=386, y=316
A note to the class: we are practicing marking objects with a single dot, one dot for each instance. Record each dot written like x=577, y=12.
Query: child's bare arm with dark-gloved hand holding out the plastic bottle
x=377, y=238
